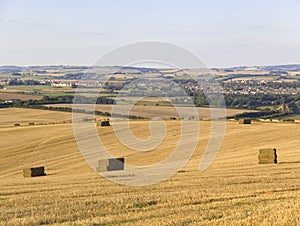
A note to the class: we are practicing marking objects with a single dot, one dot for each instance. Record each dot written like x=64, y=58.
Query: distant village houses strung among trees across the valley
x=241, y=86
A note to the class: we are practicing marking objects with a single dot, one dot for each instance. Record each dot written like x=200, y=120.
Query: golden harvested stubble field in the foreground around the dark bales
x=234, y=190
